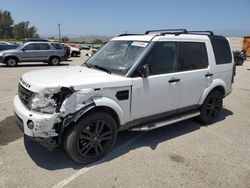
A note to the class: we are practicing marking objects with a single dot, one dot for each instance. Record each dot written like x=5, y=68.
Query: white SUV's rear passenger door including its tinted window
x=194, y=72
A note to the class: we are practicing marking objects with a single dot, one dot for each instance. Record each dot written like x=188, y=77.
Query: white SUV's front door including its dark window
x=159, y=93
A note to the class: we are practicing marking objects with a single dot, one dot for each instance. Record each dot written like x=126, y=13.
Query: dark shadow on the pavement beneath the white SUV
x=57, y=159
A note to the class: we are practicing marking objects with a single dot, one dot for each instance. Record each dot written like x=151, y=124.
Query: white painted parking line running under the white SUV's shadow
x=86, y=169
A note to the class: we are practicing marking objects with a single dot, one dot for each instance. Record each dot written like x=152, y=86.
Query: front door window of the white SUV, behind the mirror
x=161, y=59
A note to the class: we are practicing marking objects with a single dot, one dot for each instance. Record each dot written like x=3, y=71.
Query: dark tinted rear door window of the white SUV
x=192, y=56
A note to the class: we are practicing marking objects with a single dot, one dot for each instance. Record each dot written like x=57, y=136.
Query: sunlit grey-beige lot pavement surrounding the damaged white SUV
x=184, y=154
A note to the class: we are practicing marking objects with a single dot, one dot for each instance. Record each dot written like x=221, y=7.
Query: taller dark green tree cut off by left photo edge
x=6, y=23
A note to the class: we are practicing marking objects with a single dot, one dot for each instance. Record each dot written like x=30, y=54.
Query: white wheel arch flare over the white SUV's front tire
x=105, y=101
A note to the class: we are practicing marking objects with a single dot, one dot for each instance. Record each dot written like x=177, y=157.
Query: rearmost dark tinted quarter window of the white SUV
x=221, y=49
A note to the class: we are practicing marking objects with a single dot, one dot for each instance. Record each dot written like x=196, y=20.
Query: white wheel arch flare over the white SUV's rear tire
x=216, y=85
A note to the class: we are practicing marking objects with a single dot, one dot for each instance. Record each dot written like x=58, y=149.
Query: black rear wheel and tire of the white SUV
x=211, y=107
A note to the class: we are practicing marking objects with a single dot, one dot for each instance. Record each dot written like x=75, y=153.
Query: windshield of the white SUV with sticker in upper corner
x=118, y=56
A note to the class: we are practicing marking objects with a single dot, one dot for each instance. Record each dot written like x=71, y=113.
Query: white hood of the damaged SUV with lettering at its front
x=78, y=77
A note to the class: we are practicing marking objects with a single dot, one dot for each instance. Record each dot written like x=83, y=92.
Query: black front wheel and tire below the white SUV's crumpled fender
x=91, y=138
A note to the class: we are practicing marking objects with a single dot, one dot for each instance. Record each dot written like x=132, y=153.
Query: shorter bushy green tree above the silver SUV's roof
x=22, y=30
